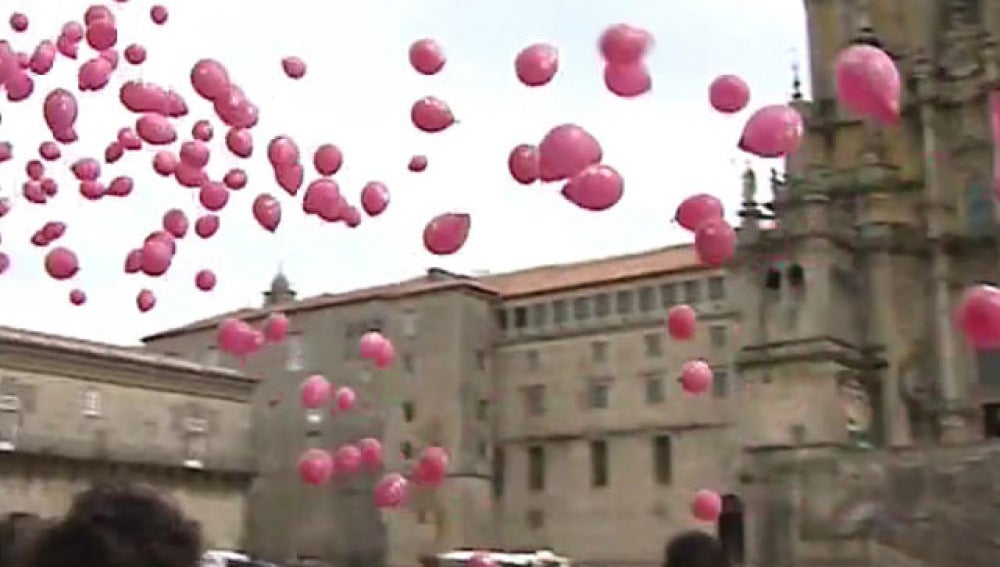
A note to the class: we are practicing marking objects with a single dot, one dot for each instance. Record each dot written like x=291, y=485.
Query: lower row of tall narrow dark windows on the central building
x=661, y=448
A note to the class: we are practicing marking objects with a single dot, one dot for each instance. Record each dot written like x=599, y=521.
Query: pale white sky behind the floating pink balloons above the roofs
x=357, y=94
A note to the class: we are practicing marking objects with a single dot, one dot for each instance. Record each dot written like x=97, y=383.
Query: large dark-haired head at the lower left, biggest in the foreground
x=119, y=525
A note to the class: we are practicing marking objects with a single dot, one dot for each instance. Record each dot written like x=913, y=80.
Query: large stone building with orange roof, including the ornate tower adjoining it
x=849, y=425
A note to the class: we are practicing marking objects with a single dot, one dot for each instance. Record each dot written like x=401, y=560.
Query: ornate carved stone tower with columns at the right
x=847, y=337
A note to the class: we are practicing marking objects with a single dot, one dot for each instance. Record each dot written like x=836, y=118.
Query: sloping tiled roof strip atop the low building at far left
x=113, y=352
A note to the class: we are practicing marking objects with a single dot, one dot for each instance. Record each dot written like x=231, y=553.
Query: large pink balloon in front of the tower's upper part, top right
x=868, y=83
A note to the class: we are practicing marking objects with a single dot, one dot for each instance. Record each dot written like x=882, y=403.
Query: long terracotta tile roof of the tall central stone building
x=545, y=279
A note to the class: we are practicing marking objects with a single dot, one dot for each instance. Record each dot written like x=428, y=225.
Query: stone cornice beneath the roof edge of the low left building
x=126, y=373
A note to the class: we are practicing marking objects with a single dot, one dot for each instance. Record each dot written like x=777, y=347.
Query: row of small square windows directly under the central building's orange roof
x=626, y=302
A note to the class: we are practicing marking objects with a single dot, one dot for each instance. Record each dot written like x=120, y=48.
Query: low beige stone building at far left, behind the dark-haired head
x=73, y=412
